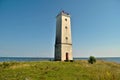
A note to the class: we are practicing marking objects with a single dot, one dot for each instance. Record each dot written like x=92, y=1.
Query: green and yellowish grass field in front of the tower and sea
x=78, y=70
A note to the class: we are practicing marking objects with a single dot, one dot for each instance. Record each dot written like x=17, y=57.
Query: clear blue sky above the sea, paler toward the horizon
x=27, y=27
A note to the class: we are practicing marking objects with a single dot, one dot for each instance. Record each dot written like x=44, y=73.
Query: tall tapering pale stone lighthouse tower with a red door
x=63, y=43
